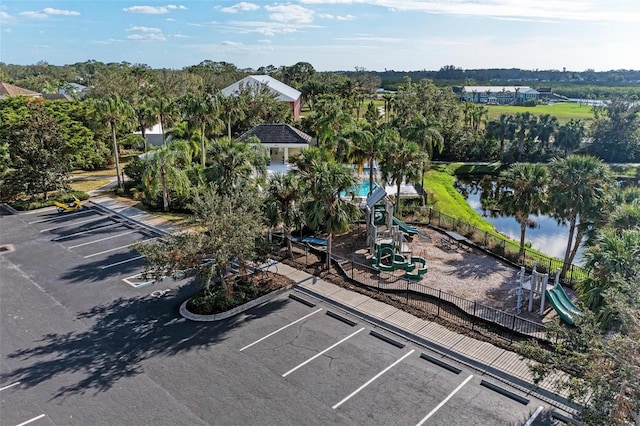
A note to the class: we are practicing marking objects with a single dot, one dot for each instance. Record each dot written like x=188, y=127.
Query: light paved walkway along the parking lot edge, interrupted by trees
x=489, y=359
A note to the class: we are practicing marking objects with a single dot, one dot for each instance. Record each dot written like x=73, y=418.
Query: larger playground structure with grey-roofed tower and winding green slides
x=385, y=238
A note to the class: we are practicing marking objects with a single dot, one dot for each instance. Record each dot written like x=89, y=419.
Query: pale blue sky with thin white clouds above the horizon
x=331, y=35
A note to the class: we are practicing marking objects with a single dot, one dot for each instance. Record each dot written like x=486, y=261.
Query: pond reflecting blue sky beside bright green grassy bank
x=547, y=236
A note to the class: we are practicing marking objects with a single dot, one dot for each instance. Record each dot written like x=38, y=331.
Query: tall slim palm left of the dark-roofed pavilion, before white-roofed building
x=202, y=112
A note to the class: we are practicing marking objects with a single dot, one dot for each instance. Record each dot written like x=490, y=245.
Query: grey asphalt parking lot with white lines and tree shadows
x=83, y=341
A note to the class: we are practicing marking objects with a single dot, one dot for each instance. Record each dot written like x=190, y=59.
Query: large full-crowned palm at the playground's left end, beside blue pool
x=323, y=208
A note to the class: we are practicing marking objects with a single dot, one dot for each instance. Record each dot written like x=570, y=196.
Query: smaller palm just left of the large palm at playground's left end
x=283, y=204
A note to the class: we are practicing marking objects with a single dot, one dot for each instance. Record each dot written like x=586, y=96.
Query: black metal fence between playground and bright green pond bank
x=501, y=246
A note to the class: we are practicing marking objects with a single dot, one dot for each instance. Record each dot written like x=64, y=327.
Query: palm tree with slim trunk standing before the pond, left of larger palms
x=528, y=196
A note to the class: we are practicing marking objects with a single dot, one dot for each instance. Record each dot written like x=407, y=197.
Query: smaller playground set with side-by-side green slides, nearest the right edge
x=537, y=284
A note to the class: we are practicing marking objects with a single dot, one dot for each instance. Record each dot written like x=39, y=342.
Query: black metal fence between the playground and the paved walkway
x=435, y=302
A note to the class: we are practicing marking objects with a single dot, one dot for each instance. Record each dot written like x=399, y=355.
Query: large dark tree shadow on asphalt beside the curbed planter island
x=120, y=336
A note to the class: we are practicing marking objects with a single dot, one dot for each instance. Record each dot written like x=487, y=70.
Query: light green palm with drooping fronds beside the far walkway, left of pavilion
x=164, y=171
